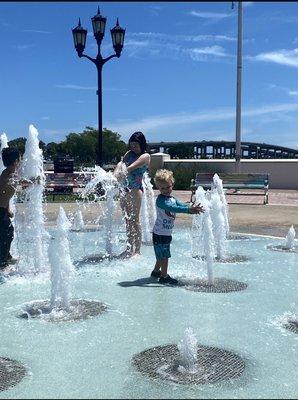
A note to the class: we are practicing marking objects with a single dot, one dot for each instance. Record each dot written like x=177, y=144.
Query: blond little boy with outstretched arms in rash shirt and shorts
x=167, y=207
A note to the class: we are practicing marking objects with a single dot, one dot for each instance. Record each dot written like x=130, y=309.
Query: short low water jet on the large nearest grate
x=188, y=348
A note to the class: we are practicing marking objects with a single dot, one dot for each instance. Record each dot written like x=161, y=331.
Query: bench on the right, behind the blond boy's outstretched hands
x=234, y=182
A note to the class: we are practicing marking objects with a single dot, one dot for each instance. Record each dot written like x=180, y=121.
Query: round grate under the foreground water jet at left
x=79, y=309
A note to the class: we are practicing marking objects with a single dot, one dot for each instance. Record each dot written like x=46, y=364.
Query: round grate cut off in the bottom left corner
x=11, y=373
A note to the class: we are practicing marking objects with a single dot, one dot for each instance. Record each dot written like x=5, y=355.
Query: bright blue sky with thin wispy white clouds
x=175, y=79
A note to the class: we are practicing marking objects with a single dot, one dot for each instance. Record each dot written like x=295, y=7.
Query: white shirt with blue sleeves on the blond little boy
x=166, y=209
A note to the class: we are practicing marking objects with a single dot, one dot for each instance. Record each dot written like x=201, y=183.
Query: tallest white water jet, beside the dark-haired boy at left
x=32, y=234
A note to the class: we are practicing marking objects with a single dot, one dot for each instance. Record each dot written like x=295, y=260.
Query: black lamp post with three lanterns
x=79, y=36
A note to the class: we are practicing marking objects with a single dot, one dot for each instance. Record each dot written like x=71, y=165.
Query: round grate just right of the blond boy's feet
x=220, y=285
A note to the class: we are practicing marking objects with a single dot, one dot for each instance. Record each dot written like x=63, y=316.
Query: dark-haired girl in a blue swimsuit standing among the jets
x=130, y=173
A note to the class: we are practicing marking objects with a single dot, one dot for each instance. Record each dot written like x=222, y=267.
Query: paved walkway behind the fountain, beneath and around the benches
x=247, y=214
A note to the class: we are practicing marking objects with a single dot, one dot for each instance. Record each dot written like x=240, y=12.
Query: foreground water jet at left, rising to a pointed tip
x=61, y=264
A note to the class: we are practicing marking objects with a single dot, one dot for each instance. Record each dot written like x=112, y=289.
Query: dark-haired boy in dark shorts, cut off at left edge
x=10, y=158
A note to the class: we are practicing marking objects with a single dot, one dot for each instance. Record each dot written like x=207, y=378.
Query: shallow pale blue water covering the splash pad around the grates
x=92, y=358
